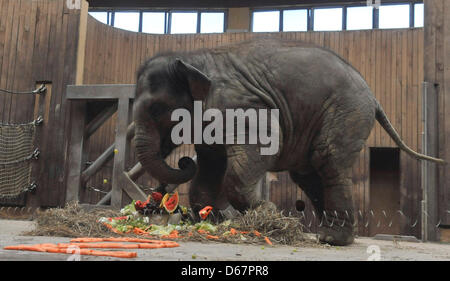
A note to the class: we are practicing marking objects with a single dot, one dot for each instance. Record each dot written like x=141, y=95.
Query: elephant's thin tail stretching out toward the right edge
x=386, y=124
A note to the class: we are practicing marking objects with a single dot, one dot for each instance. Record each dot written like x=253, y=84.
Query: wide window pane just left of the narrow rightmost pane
x=394, y=16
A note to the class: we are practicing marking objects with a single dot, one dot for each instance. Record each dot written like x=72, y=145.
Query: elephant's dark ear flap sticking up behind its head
x=199, y=83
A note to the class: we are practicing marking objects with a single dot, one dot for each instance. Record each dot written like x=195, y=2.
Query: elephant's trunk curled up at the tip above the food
x=148, y=150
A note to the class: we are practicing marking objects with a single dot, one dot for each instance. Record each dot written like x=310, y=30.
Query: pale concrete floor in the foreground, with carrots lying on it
x=362, y=249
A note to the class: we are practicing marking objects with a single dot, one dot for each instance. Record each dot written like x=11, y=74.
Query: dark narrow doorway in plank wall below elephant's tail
x=384, y=191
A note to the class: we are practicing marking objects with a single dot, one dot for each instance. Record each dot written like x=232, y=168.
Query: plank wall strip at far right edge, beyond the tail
x=437, y=73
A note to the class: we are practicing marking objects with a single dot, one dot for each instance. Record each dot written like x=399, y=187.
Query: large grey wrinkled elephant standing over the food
x=326, y=113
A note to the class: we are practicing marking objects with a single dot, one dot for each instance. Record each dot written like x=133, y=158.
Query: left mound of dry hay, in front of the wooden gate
x=72, y=221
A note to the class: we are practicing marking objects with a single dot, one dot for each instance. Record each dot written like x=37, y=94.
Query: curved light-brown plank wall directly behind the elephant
x=390, y=60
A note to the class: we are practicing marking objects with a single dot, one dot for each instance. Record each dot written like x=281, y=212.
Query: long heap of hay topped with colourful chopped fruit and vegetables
x=149, y=219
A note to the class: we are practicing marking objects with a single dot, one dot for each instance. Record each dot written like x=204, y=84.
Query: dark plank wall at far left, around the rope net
x=38, y=42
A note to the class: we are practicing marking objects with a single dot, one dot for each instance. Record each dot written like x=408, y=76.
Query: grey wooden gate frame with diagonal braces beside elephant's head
x=91, y=106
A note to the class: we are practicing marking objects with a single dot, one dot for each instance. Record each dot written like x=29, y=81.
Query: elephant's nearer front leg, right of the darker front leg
x=246, y=166
